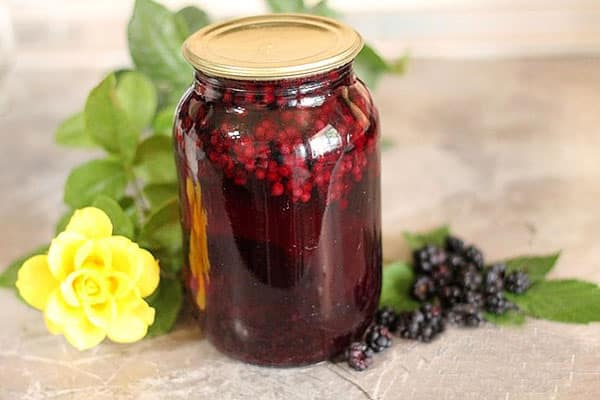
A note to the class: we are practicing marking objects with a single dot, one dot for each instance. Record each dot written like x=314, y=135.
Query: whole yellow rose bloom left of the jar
x=91, y=285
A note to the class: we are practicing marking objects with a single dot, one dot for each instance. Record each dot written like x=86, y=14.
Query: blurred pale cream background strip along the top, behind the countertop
x=426, y=28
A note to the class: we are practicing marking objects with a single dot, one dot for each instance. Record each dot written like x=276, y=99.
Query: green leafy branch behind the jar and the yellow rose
x=129, y=117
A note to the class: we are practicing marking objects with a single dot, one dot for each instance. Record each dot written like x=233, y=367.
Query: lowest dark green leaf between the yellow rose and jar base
x=167, y=301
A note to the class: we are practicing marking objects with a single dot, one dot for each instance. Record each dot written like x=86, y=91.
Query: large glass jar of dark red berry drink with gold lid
x=279, y=174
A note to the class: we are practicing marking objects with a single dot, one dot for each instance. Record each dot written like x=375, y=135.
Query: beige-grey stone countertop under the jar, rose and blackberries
x=506, y=152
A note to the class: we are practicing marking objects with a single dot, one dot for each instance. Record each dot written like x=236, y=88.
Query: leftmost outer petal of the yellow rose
x=35, y=282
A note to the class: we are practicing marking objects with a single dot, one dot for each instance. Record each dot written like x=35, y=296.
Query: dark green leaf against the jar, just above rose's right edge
x=162, y=231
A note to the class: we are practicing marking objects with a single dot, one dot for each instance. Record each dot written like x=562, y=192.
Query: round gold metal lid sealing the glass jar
x=274, y=46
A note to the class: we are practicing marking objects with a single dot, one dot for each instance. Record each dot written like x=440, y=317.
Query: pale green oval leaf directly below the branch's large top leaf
x=138, y=97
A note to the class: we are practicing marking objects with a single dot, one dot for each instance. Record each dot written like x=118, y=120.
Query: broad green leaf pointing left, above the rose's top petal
x=92, y=179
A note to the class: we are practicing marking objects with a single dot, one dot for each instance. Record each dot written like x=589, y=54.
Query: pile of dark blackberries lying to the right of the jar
x=453, y=286
